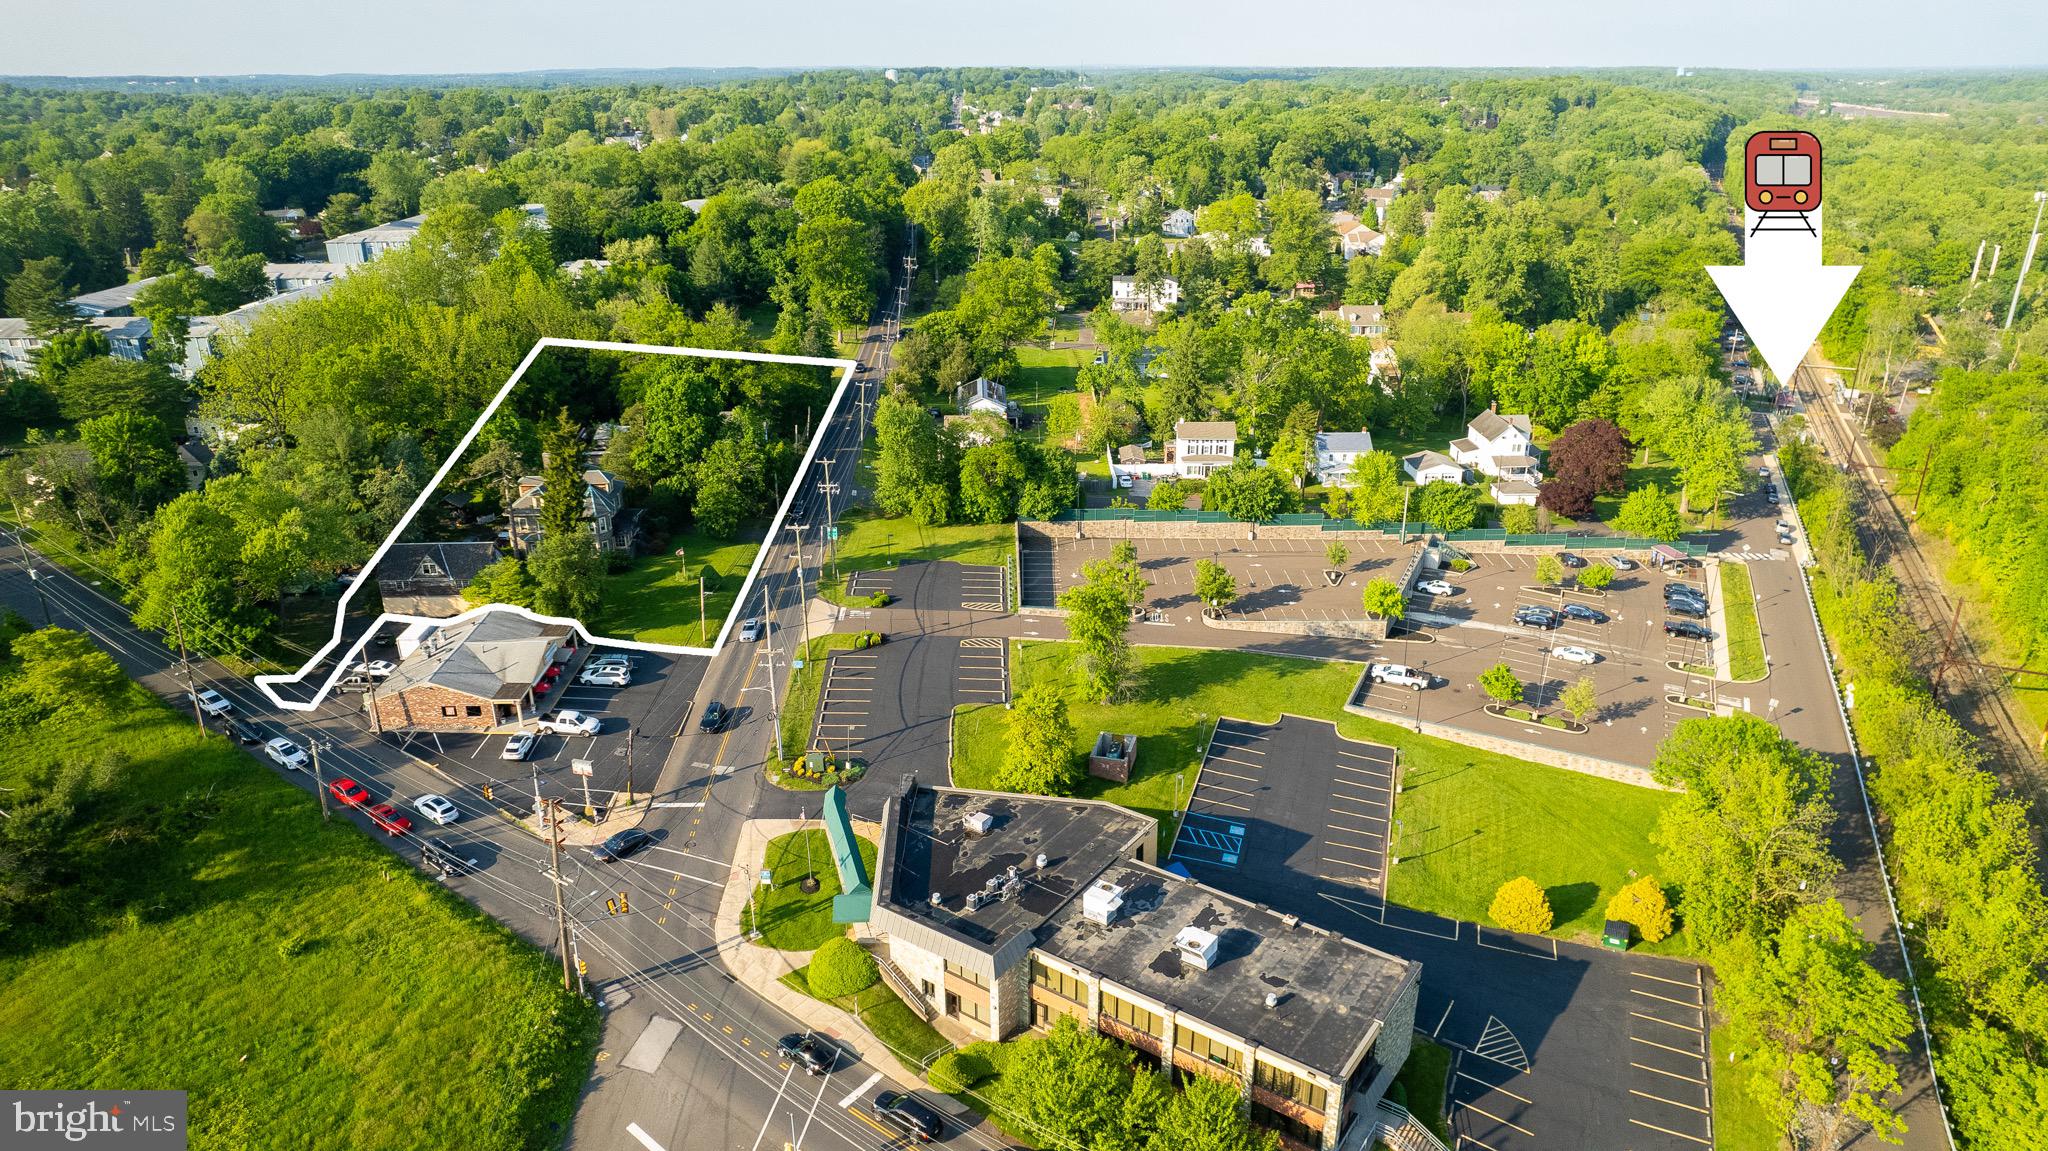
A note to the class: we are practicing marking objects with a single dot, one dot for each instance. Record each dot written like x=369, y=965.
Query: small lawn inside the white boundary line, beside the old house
x=656, y=599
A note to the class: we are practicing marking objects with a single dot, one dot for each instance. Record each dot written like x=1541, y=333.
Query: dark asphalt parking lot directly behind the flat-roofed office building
x=1558, y=1046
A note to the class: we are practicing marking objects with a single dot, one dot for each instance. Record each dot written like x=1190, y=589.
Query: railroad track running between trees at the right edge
x=1975, y=697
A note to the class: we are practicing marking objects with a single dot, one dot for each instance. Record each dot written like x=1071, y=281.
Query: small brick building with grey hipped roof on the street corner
x=478, y=675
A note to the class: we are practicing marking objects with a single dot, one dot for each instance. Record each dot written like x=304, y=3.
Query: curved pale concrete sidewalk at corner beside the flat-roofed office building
x=761, y=970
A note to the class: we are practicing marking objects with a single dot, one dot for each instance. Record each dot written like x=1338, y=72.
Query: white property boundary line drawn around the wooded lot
x=341, y=611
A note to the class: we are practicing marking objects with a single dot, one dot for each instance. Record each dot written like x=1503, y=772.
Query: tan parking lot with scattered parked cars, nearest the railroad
x=1635, y=665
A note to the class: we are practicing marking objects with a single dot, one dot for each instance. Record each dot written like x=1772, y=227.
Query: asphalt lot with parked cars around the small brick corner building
x=642, y=716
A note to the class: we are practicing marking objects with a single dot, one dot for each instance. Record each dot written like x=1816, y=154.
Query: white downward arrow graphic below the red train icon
x=1783, y=294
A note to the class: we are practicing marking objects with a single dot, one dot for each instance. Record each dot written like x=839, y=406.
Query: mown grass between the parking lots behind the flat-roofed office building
x=1469, y=820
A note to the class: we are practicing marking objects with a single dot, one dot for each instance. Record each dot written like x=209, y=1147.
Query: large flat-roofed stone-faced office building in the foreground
x=1009, y=912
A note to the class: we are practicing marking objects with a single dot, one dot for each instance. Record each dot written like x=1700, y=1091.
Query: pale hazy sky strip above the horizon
x=196, y=38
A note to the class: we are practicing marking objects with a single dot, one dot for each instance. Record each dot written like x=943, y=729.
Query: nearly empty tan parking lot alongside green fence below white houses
x=1277, y=579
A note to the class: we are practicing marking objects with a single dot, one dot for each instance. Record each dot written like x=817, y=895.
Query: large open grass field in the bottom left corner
x=296, y=978
